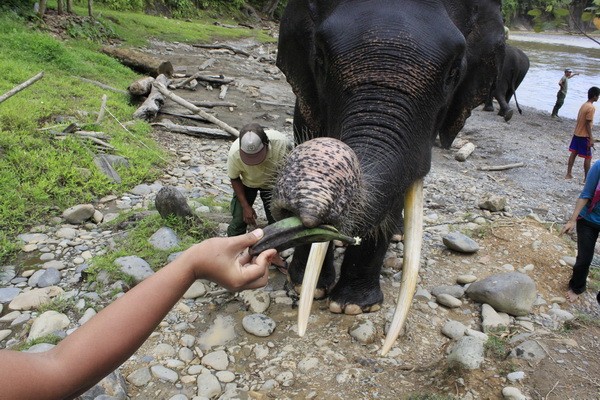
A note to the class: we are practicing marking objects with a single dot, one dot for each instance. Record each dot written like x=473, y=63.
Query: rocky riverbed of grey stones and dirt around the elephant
x=215, y=344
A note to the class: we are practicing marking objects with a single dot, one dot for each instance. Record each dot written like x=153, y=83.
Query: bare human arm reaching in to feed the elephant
x=104, y=342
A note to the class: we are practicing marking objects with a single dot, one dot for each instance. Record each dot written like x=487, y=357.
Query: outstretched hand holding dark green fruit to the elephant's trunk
x=226, y=261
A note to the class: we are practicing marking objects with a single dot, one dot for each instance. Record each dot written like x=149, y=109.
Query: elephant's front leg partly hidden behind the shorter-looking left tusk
x=298, y=265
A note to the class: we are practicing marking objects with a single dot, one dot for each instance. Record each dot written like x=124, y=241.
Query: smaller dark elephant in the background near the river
x=514, y=69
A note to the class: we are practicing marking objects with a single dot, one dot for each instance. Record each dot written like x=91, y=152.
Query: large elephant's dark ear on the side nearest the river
x=481, y=24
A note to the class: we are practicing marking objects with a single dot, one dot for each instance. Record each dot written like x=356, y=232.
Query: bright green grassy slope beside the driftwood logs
x=39, y=175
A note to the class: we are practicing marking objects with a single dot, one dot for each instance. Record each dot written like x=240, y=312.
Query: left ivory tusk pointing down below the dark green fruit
x=309, y=283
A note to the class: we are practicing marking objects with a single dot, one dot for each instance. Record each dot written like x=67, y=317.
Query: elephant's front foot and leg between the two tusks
x=358, y=288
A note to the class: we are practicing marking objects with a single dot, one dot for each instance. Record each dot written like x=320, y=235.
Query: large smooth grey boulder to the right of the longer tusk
x=512, y=292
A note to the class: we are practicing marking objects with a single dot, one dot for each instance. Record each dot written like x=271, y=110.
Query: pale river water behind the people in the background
x=549, y=55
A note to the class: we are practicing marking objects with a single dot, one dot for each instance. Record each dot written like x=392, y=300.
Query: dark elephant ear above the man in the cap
x=295, y=57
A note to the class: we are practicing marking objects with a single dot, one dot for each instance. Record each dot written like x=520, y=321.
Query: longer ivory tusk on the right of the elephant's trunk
x=413, y=239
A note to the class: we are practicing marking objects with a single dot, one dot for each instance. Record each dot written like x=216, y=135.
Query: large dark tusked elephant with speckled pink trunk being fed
x=376, y=82
